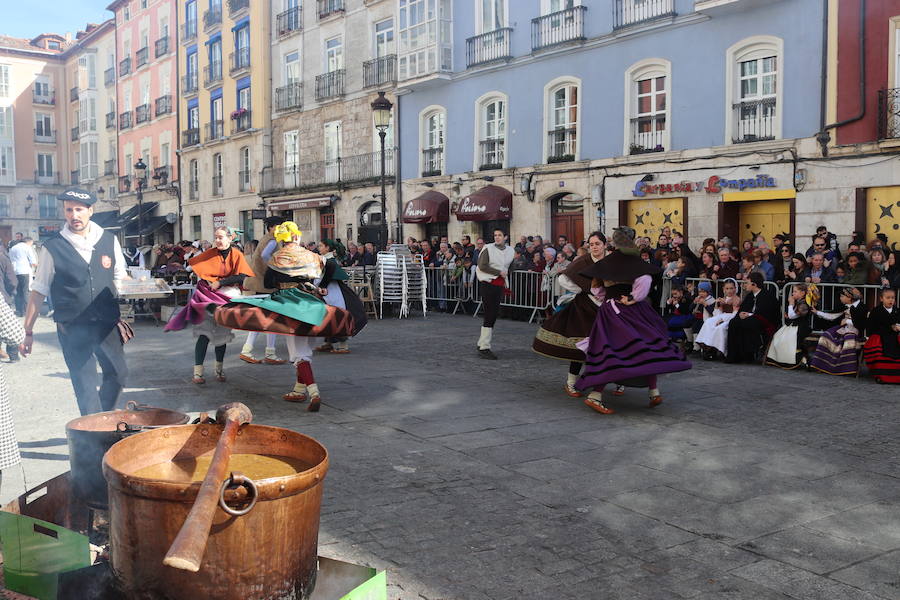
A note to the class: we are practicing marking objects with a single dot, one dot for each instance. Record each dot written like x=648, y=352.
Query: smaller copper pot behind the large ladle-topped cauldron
x=91, y=436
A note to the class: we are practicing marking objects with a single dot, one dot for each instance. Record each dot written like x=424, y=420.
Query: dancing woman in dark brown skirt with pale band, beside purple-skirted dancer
x=557, y=335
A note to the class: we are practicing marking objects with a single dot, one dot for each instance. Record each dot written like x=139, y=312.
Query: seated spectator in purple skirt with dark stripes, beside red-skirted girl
x=836, y=352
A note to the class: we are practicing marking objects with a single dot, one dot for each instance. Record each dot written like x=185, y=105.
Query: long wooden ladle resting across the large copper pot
x=186, y=552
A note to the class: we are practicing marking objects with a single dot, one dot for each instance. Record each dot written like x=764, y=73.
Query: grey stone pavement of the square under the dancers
x=475, y=479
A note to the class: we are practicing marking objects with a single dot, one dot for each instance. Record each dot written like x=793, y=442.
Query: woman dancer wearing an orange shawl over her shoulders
x=221, y=271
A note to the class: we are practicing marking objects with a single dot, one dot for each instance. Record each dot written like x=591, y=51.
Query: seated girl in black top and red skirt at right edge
x=882, y=349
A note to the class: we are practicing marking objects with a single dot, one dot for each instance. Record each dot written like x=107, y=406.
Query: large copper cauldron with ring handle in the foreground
x=267, y=552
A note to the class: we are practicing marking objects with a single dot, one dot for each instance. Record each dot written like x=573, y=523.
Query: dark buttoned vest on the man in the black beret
x=83, y=292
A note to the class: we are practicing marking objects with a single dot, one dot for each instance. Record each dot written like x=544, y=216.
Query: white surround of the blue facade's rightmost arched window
x=751, y=48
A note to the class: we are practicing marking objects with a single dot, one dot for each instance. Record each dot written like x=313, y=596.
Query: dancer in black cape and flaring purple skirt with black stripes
x=629, y=342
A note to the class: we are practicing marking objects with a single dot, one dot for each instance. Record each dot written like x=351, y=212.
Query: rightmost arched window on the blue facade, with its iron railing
x=754, y=88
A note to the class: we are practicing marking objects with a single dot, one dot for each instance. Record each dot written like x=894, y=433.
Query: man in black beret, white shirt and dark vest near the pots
x=80, y=267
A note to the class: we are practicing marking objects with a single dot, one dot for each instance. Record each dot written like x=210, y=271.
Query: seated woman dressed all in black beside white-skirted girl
x=755, y=323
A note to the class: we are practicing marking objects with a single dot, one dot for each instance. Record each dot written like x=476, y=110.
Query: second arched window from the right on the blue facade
x=647, y=102
